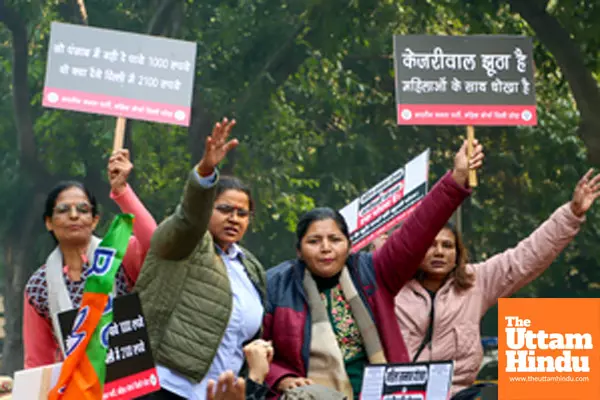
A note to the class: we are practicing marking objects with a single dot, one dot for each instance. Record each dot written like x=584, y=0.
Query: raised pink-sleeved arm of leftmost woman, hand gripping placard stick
x=144, y=225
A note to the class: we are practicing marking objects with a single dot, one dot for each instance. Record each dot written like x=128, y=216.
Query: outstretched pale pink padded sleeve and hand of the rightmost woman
x=505, y=273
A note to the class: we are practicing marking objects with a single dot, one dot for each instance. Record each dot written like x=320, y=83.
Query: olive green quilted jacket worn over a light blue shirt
x=184, y=286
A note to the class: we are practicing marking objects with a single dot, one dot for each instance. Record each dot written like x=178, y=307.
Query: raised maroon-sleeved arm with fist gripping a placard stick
x=397, y=261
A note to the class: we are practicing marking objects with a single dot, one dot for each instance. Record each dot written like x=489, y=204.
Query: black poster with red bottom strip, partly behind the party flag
x=130, y=369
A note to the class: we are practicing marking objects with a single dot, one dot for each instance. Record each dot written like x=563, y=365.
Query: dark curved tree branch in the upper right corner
x=571, y=61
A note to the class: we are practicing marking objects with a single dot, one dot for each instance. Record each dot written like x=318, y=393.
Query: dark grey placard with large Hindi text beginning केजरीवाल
x=464, y=80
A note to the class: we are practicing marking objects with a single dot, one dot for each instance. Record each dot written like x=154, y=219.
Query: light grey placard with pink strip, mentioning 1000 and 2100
x=121, y=74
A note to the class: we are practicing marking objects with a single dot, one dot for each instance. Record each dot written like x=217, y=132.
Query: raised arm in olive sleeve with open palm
x=178, y=235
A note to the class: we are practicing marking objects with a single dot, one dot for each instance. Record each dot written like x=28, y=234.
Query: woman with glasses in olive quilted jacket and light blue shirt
x=203, y=294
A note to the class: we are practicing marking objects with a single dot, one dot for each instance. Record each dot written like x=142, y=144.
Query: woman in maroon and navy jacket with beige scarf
x=329, y=312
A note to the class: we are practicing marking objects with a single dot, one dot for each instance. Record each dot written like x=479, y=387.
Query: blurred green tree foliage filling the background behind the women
x=311, y=85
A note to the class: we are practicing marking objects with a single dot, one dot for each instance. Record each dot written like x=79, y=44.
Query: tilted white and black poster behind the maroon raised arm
x=388, y=203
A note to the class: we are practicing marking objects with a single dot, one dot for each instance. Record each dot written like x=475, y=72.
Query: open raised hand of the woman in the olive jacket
x=217, y=147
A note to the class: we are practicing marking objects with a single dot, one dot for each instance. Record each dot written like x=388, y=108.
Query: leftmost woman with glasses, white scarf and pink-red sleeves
x=71, y=215
